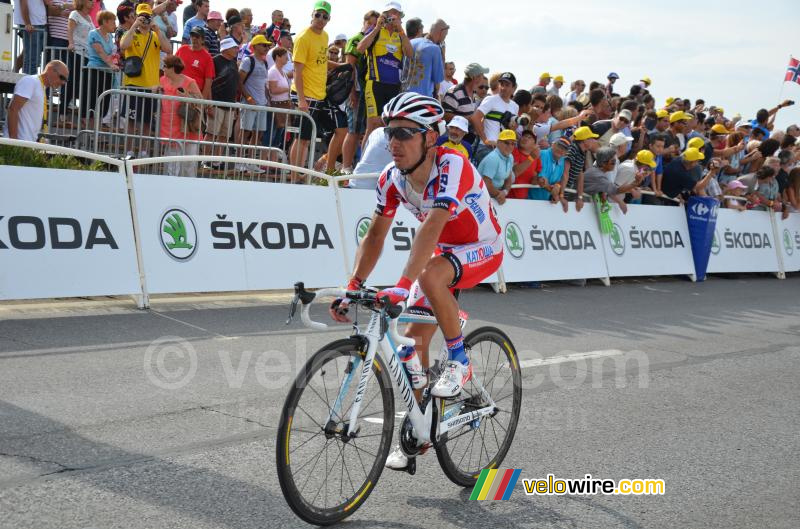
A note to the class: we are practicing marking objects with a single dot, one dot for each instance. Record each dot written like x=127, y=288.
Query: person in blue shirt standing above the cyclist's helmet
x=426, y=65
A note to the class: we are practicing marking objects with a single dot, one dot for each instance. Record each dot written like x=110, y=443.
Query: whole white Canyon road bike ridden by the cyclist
x=337, y=422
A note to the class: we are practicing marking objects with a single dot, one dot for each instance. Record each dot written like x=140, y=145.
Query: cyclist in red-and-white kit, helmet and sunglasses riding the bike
x=457, y=245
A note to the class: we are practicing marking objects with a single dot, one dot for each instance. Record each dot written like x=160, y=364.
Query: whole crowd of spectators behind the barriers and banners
x=565, y=141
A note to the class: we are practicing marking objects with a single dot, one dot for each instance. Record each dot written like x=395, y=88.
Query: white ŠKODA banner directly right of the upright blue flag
x=743, y=242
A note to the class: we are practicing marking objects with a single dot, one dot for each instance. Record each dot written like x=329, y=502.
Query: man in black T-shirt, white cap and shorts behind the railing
x=224, y=88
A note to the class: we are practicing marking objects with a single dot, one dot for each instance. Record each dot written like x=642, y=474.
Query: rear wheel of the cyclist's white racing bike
x=465, y=451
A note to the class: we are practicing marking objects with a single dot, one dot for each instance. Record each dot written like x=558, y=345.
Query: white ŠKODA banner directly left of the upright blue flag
x=648, y=241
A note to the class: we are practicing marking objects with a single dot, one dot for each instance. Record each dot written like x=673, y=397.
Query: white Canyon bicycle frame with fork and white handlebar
x=420, y=421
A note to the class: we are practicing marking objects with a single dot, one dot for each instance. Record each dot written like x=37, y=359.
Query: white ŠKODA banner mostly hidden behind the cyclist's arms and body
x=358, y=206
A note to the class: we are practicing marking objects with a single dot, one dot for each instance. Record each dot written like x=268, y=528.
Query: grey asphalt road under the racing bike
x=695, y=384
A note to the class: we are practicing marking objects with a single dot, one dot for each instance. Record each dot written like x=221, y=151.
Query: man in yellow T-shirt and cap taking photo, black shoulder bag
x=143, y=40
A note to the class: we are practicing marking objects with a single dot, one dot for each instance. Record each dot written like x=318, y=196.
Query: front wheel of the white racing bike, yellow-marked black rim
x=326, y=475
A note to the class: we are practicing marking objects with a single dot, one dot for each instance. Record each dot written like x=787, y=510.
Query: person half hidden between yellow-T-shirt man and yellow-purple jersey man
x=356, y=106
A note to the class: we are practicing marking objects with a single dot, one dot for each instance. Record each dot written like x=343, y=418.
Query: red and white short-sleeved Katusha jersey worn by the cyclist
x=453, y=185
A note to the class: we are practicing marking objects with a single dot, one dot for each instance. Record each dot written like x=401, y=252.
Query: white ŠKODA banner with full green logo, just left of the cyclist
x=203, y=235
